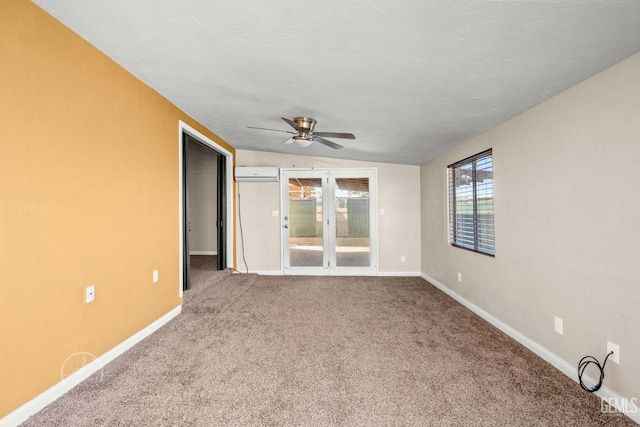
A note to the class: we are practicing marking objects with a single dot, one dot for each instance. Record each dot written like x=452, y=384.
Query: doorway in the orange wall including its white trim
x=205, y=205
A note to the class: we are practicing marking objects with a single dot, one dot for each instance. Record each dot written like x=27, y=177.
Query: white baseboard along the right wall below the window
x=624, y=405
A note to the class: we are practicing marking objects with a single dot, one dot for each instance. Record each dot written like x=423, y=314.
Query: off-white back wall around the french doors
x=398, y=228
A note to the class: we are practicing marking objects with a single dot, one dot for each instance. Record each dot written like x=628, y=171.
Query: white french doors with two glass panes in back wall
x=328, y=221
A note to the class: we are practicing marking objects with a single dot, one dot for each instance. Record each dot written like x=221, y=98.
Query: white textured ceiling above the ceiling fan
x=410, y=79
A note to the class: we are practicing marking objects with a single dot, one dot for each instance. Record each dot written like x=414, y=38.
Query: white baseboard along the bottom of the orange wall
x=48, y=396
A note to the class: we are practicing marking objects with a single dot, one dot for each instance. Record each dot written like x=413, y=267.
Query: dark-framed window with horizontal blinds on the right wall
x=471, y=203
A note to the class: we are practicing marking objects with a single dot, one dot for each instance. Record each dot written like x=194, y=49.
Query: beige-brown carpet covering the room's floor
x=361, y=351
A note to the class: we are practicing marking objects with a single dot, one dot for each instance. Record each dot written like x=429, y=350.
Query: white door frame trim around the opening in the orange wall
x=184, y=128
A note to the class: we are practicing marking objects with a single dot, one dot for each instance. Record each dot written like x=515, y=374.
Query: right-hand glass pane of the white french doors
x=352, y=227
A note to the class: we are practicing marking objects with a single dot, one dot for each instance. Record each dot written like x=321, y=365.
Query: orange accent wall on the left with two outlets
x=88, y=196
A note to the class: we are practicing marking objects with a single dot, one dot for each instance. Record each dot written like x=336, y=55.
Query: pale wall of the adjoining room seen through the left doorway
x=202, y=178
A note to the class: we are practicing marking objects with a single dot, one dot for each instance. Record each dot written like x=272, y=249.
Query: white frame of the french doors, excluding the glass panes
x=328, y=211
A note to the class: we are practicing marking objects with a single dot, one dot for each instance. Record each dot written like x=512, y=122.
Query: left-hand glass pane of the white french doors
x=306, y=243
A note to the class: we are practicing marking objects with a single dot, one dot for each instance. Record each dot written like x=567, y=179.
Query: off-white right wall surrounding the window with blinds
x=567, y=211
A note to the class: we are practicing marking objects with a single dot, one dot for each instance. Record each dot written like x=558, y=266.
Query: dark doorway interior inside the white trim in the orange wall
x=204, y=205
